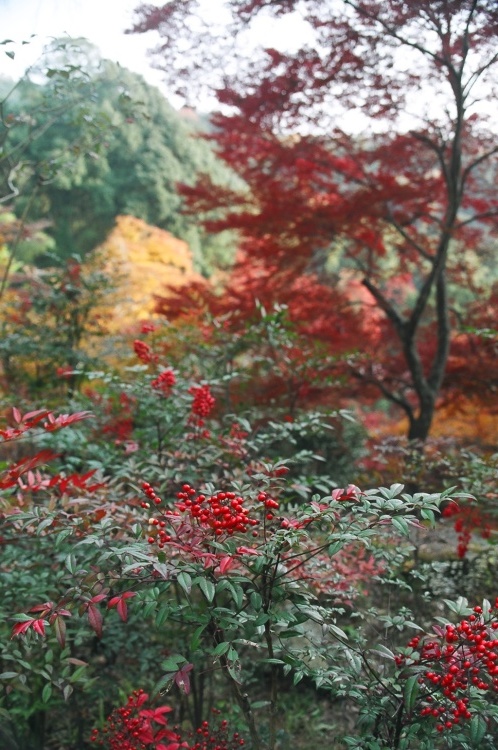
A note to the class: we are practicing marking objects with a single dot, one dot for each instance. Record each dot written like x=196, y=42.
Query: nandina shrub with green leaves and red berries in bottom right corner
x=444, y=684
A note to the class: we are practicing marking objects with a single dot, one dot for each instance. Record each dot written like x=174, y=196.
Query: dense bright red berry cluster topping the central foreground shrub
x=223, y=512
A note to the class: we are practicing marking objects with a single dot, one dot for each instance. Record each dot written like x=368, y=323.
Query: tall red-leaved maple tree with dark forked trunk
x=369, y=140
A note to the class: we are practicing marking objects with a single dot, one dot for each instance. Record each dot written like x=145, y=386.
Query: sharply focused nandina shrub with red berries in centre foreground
x=234, y=572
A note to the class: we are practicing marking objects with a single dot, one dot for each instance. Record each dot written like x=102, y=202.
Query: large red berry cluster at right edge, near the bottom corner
x=461, y=657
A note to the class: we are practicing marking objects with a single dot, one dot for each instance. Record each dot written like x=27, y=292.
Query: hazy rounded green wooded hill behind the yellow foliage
x=122, y=153
